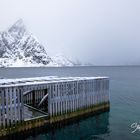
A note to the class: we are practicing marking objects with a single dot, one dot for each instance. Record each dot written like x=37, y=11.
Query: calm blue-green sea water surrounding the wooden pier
x=113, y=125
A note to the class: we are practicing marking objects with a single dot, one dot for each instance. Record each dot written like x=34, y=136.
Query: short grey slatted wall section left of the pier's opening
x=11, y=106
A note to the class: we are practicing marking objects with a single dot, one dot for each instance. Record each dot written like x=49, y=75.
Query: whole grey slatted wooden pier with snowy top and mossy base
x=59, y=98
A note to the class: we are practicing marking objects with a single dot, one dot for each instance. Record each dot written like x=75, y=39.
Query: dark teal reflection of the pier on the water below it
x=93, y=127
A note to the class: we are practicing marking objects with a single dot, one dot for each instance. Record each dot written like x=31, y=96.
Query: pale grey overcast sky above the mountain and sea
x=101, y=32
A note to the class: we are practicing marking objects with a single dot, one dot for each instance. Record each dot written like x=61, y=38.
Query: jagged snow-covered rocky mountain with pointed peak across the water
x=19, y=48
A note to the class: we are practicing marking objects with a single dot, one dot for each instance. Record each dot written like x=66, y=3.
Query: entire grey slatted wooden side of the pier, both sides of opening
x=63, y=98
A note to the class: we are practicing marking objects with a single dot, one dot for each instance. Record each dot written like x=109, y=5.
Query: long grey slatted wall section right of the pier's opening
x=65, y=97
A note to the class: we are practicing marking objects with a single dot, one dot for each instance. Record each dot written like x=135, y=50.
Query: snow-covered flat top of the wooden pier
x=42, y=80
